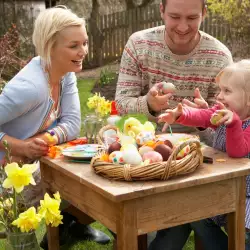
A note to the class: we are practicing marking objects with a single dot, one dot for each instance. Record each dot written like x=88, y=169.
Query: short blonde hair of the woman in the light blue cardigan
x=46, y=27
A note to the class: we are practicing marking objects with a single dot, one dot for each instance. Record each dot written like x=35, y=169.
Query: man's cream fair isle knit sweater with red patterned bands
x=147, y=60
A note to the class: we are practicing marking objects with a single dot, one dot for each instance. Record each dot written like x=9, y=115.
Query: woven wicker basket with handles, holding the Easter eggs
x=158, y=170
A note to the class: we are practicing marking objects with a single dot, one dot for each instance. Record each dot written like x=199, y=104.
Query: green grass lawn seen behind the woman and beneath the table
x=84, y=87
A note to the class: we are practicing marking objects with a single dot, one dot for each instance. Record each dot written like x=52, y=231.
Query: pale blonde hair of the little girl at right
x=241, y=71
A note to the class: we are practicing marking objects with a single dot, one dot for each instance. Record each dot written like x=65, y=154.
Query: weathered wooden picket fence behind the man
x=117, y=27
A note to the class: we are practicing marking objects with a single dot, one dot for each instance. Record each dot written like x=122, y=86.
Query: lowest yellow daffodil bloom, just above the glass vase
x=28, y=220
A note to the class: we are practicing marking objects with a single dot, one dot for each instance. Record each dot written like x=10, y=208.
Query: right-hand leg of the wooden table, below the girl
x=236, y=220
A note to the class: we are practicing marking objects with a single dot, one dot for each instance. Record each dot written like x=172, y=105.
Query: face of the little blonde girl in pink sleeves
x=233, y=96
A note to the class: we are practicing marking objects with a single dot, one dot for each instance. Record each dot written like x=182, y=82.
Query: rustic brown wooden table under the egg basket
x=136, y=208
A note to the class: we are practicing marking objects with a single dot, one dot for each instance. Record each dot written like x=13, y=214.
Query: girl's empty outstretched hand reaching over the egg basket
x=170, y=116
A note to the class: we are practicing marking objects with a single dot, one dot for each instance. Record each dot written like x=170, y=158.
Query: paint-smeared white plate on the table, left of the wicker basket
x=82, y=152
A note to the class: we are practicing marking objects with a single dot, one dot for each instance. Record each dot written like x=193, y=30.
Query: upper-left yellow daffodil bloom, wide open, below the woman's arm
x=19, y=177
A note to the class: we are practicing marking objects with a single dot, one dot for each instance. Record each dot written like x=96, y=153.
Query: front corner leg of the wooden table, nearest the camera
x=127, y=227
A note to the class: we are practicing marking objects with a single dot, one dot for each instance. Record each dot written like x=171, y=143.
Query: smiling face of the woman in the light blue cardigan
x=70, y=49
